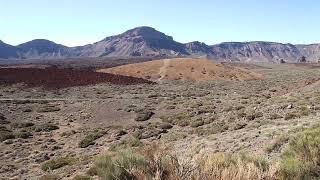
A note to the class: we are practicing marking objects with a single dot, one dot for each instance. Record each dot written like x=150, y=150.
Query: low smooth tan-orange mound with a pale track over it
x=183, y=69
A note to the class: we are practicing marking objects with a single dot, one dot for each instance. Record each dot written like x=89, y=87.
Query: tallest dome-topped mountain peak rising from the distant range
x=141, y=41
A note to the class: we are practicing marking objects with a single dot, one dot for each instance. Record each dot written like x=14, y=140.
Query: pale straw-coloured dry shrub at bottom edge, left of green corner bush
x=221, y=166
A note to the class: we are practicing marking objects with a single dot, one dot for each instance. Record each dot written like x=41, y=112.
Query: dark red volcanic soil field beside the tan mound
x=53, y=78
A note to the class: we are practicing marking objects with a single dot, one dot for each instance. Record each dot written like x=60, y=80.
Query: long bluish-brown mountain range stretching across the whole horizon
x=146, y=41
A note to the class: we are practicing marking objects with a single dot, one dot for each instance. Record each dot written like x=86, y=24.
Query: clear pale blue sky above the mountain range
x=78, y=22
